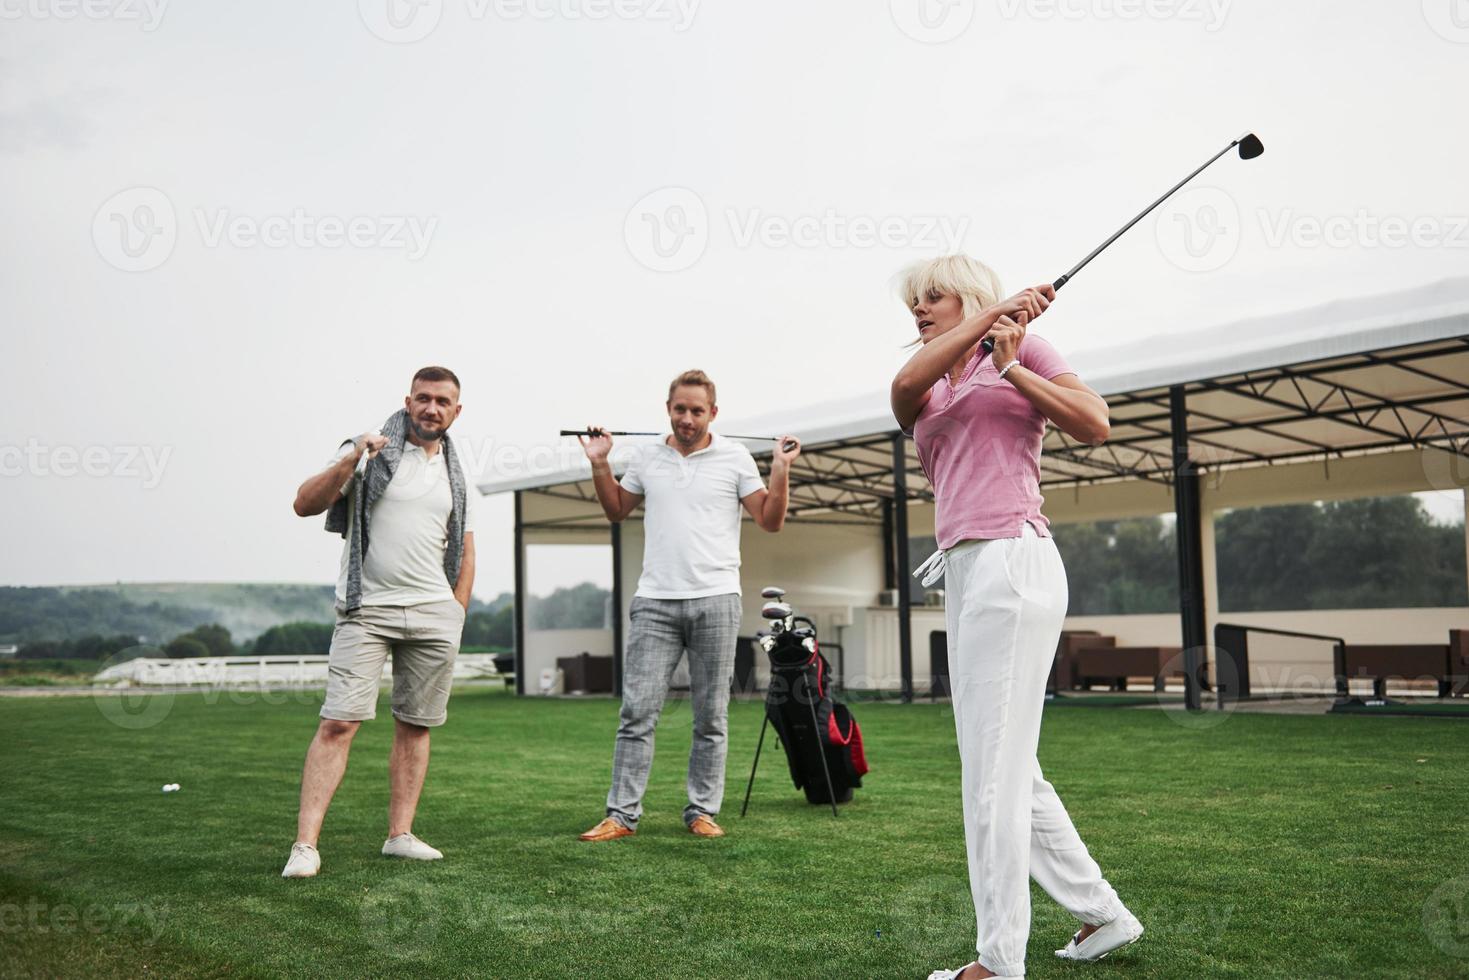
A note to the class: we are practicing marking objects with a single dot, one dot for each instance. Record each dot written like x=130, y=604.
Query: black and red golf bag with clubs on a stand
x=822, y=740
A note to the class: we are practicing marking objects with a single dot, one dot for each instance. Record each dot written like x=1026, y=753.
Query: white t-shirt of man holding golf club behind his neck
x=691, y=518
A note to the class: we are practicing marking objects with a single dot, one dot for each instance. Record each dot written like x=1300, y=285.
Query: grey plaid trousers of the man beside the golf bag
x=662, y=631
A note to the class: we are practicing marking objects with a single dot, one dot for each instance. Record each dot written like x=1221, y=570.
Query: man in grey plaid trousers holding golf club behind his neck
x=693, y=486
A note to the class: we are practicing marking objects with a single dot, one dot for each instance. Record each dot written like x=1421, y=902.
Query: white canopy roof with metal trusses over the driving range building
x=1427, y=386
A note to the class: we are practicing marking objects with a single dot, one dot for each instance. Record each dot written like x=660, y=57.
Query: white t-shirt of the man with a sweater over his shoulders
x=409, y=533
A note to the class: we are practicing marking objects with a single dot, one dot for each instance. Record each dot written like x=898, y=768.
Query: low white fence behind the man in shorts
x=258, y=672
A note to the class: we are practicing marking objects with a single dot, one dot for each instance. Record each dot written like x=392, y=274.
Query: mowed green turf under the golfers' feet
x=1263, y=847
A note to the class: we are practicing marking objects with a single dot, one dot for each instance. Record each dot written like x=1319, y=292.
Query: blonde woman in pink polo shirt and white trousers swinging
x=978, y=421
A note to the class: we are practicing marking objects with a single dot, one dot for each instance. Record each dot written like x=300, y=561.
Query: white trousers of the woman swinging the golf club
x=1007, y=600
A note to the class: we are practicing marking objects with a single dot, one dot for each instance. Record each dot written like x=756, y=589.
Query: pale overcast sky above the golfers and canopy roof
x=233, y=231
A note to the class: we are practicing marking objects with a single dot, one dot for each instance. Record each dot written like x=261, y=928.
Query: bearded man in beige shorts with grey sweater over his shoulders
x=403, y=590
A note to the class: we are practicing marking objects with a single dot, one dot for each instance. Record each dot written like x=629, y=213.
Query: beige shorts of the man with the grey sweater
x=424, y=641
